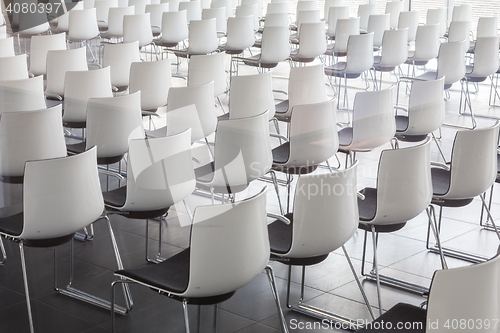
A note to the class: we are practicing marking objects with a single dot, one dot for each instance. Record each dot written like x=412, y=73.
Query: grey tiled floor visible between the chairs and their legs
x=329, y=285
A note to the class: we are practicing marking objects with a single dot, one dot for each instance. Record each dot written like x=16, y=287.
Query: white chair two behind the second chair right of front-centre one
x=359, y=59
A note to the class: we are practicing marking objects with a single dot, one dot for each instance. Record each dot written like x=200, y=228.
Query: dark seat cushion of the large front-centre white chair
x=171, y=275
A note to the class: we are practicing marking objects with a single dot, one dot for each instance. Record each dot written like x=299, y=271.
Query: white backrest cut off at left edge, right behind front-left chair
x=16, y=148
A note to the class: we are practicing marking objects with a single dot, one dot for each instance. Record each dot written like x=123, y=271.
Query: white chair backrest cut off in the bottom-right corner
x=464, y=293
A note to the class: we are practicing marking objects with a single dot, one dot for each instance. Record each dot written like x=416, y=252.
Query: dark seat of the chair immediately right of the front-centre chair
x=280, y=240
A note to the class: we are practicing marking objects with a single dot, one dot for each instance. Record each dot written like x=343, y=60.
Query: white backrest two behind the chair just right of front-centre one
x=306, y=85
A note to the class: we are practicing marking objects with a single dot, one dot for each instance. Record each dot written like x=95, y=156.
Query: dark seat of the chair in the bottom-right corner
x=400, y=313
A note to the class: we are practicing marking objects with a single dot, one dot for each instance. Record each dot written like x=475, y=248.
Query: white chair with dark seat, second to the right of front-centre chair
x=397, y=198
